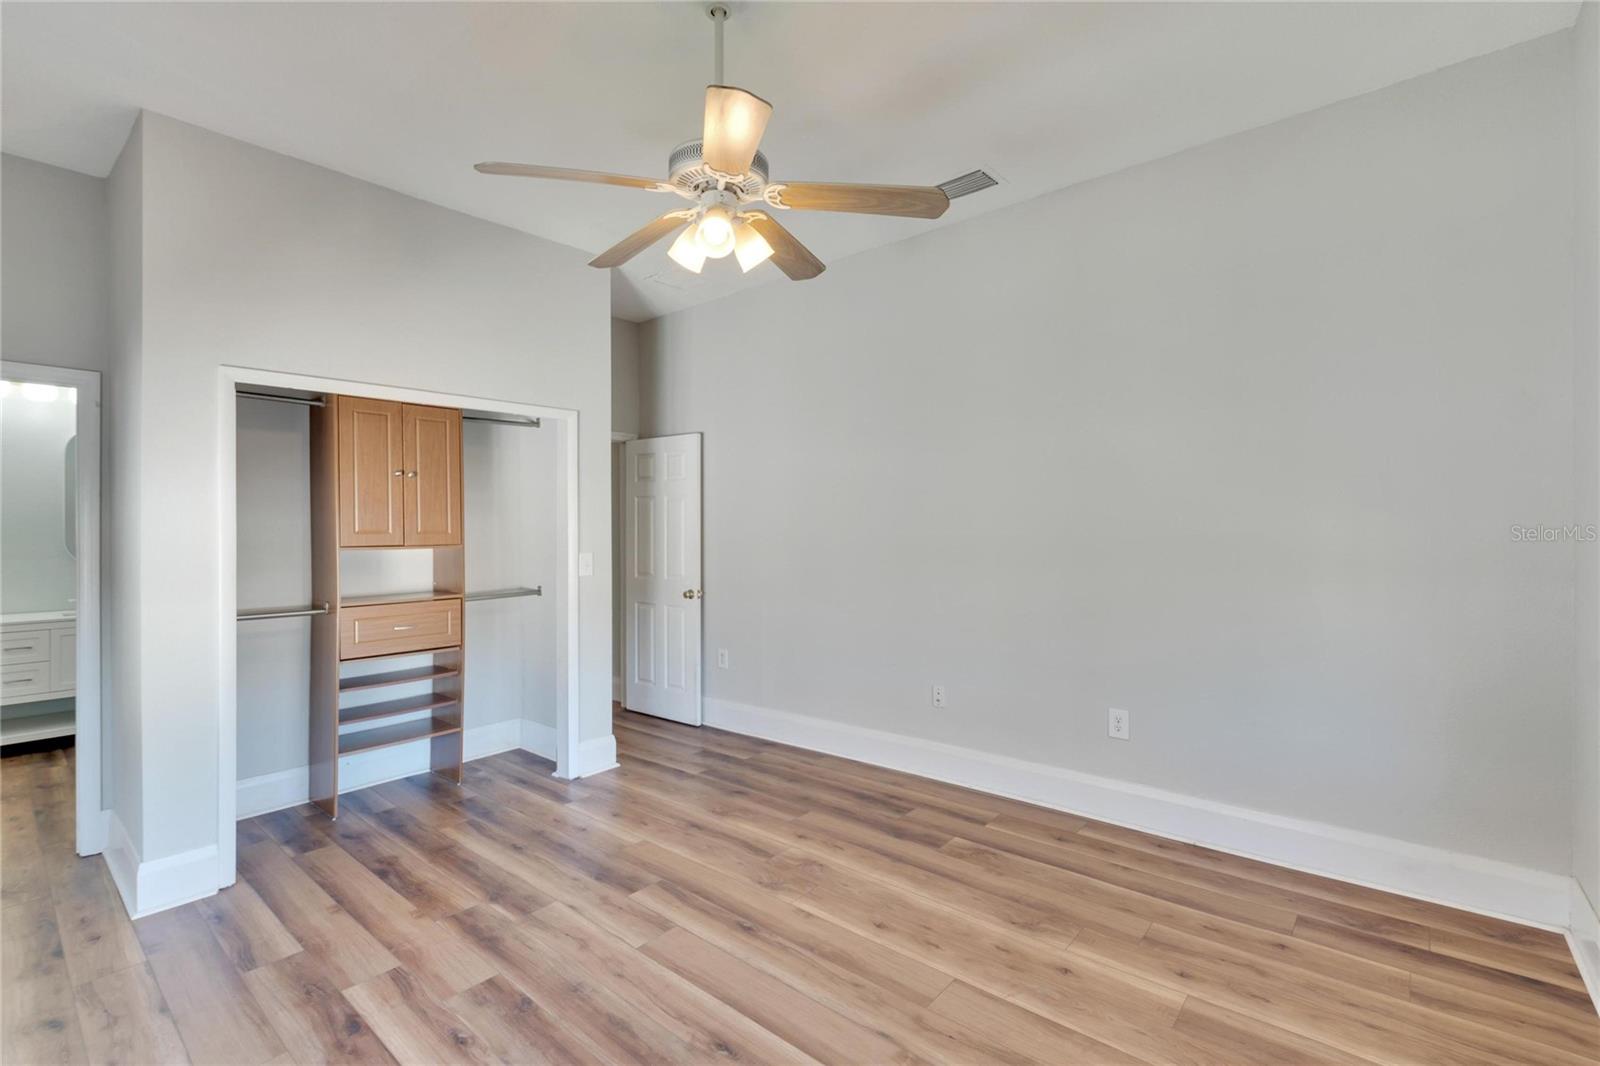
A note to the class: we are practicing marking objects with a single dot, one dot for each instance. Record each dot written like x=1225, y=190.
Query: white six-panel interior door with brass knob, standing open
x=662, y=577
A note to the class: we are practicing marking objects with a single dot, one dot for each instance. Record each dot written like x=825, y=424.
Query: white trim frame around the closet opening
x=558, y=420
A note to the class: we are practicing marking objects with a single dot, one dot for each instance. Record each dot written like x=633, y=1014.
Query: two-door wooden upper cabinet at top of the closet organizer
x=399, y=475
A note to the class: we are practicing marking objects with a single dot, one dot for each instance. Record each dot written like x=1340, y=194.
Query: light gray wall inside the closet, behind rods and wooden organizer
x=511, y=539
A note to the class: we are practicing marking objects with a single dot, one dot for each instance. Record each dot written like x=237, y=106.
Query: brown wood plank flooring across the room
x=721, y=899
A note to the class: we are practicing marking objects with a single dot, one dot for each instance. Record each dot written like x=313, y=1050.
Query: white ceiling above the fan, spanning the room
x=410, y=95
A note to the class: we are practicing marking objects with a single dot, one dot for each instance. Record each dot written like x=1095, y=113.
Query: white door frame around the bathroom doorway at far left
x=94, y=820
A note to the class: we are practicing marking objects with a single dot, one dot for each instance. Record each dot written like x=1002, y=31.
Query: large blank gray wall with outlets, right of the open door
x=1233, y=441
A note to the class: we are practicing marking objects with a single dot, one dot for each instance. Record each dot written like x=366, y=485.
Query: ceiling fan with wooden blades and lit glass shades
x=732, y=201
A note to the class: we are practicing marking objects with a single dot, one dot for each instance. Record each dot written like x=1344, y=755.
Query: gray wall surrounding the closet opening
x=250, y=258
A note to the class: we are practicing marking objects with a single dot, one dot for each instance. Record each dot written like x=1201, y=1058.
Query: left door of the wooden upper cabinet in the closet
x=372, y=473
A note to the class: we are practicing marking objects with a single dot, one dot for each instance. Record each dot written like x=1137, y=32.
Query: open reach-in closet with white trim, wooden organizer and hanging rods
x=402, y=604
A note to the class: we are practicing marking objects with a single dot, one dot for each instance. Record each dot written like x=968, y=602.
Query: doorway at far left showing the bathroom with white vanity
x=50, y=566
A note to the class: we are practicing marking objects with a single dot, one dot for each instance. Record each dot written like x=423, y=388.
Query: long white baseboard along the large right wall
x=1410, y=870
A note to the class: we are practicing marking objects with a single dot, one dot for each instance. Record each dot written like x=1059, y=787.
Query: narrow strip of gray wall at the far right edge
x=1586, y=796
